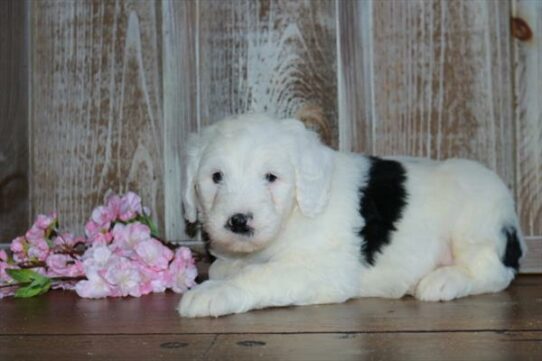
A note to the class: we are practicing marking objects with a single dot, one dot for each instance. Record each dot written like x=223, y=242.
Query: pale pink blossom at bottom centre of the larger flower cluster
x=125, y=276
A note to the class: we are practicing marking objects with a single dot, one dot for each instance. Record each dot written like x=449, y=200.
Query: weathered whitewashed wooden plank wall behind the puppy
x=117, y=86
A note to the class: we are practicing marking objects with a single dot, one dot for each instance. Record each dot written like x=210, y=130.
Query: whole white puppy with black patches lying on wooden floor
x=293, y=222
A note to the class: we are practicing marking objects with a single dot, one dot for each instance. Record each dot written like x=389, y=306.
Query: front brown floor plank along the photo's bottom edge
x=461, y=346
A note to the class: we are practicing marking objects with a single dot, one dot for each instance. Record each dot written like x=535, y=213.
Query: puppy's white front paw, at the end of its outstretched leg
x=213, y=298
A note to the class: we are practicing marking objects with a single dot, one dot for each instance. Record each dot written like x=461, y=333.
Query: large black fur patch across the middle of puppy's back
x=382, y=200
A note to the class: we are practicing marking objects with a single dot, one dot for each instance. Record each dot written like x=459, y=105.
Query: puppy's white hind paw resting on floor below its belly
x=443, y=284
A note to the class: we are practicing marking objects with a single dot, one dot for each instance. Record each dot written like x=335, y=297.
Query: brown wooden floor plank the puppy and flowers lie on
x=518, y=308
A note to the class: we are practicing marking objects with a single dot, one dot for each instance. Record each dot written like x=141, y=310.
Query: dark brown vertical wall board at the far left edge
x=14, y=170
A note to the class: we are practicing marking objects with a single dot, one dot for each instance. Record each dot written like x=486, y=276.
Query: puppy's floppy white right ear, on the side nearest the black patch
x=314, y=164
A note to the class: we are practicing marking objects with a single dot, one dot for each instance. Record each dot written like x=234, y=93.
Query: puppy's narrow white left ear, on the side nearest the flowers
x=193, y=152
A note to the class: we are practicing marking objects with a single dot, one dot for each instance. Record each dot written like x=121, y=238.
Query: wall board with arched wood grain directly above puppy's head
x=268, y=56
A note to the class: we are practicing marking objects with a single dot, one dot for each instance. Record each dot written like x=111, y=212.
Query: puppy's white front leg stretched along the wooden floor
x=263, y=285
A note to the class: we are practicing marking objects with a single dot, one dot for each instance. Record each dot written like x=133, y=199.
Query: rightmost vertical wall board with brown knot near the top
x=528, y=112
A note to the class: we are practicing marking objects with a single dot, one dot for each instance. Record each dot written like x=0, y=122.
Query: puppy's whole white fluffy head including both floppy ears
x=246, y=175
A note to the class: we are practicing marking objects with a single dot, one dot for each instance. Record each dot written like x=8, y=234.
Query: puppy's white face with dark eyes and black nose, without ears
x=246, y=189
